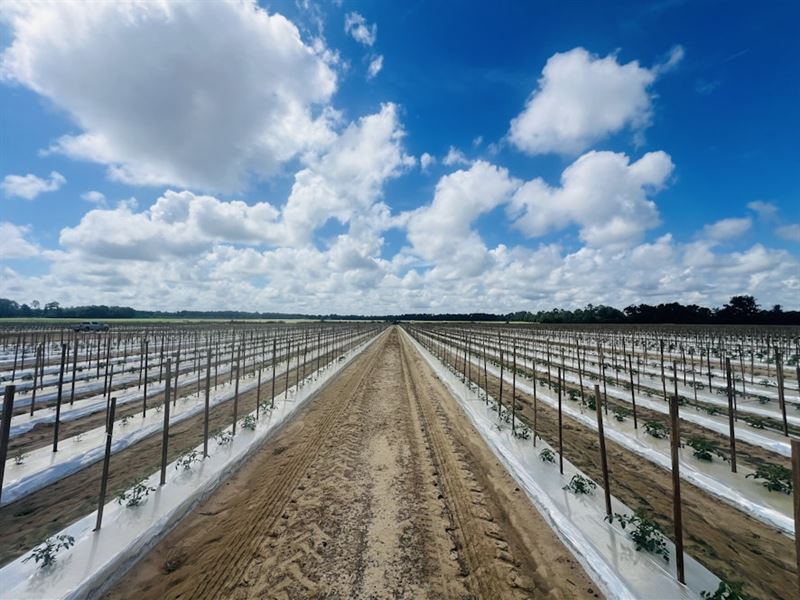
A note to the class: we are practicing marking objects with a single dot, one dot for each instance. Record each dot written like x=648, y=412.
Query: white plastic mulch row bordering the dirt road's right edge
x=604, y=550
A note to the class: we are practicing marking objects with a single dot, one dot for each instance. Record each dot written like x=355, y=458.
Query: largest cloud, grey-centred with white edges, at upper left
x=208, y=115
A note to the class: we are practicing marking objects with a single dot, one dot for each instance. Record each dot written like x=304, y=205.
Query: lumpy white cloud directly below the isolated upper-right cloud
x=602, y=192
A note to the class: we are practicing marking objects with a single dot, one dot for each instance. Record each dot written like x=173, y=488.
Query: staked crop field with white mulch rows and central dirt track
x=416, y=460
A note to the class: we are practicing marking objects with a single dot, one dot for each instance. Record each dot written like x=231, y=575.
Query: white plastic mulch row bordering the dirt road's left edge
x=98, y=558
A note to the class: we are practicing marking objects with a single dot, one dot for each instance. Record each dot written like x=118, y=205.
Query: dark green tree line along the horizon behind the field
x=739, y=310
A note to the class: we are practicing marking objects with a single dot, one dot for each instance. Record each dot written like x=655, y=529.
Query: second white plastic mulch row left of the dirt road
x=42, y=466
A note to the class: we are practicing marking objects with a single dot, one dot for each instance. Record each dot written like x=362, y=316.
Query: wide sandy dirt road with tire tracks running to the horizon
x=379, y=488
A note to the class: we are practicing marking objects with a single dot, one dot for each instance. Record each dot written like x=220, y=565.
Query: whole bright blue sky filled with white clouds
x=383, y=157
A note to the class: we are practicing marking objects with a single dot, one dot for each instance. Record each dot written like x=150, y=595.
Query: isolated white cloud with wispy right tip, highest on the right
x=582, y=98
